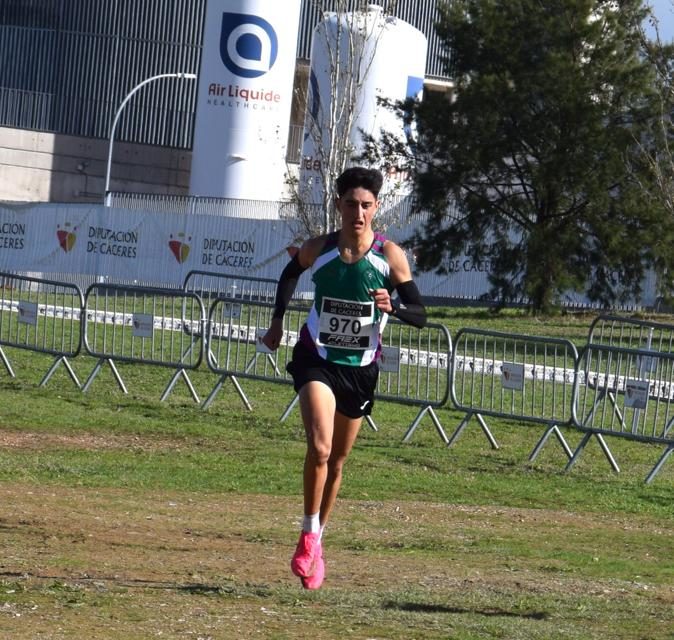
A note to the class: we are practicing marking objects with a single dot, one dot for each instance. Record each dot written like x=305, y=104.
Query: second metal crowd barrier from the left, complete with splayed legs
x=143, y=325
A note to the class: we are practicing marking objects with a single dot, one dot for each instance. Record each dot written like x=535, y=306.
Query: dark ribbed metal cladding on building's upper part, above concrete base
x=66, y=65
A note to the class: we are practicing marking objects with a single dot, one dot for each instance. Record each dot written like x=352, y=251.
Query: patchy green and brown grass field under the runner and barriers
x=124, y=517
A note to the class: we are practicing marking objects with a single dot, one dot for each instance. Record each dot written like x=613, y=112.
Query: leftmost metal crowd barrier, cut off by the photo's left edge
x=42, y=316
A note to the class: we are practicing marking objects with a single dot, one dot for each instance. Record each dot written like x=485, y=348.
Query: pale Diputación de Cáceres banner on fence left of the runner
x=138, y=245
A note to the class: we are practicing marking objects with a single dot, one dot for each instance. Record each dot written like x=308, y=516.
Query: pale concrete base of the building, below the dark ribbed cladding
x=44, y=167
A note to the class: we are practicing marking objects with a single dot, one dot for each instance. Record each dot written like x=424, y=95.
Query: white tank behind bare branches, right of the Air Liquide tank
x=357, y=60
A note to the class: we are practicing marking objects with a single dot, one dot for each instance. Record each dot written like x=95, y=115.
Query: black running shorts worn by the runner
x=353, y=387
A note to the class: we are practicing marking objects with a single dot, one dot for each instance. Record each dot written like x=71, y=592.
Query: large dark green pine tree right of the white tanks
x=530, y=154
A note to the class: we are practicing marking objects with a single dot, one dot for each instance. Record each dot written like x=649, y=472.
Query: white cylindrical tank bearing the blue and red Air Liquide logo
x=244, y=99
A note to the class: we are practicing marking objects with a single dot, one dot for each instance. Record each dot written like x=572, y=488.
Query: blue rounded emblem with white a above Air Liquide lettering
x=248, y=44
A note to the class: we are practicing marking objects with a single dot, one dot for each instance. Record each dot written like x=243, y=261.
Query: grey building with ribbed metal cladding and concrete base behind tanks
x=68, y=65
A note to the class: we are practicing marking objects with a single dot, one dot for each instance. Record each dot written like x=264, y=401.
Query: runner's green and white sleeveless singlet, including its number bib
x=344, y=326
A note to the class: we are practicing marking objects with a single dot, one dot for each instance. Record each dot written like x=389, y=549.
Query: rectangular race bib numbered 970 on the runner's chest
x=345, y=324
